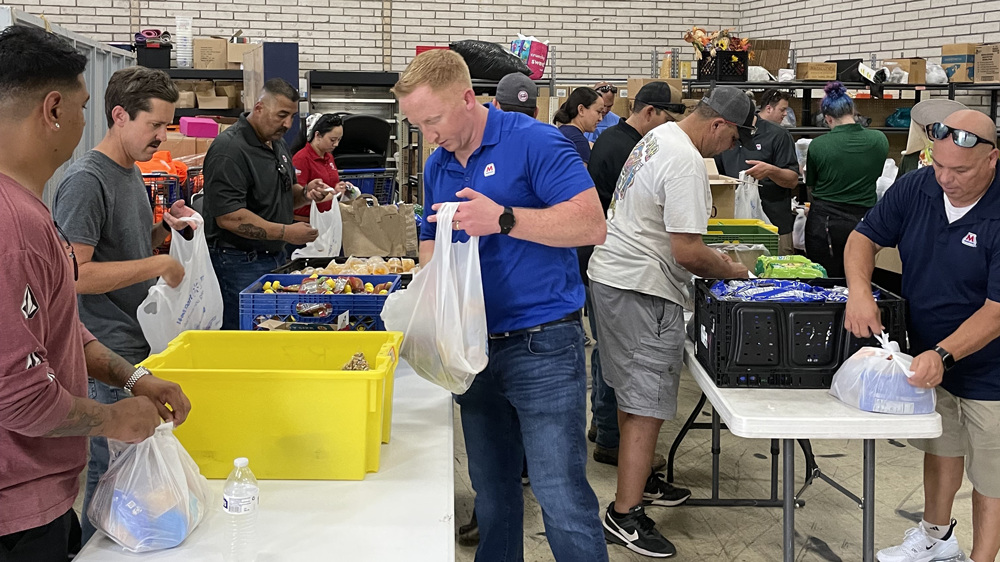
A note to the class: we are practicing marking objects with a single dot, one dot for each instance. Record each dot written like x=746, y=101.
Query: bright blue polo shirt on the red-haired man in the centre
x=521, y=163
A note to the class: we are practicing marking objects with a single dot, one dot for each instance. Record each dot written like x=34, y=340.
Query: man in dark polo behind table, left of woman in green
x=770, y=158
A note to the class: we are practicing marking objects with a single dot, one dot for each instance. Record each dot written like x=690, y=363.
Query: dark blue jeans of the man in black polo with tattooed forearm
x=236, y=271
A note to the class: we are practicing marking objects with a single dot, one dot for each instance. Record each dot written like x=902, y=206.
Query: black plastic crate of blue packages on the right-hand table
x=786, y=345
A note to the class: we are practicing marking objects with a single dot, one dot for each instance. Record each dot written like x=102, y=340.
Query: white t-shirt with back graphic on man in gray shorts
x=663, y=189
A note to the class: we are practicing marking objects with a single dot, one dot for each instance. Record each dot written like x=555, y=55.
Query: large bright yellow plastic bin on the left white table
x=280, y=399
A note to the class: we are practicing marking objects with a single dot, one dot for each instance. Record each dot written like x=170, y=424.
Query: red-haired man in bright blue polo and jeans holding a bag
x=525, y=192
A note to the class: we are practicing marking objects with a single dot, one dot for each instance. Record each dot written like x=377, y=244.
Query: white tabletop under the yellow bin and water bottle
x=405, y=511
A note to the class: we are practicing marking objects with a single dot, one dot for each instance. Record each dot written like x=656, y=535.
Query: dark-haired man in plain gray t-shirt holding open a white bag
x=102, y=208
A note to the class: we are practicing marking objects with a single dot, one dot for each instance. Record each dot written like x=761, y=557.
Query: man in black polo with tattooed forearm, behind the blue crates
x=251, y=195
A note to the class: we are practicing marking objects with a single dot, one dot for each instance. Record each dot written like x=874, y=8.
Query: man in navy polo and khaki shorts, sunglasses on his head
x=945, y=220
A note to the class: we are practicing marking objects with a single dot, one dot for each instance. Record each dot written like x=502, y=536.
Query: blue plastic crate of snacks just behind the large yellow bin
x=365, y=310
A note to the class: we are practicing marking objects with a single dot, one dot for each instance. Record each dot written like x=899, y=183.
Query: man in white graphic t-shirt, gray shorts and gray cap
x=640, y=279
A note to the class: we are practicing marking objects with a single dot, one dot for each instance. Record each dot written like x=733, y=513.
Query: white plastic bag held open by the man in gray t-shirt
x=195, y=304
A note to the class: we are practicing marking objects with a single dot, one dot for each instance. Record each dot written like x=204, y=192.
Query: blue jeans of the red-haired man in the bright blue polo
x=531, y=401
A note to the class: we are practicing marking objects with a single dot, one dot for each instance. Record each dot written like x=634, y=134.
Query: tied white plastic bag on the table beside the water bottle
x=152, y=496
